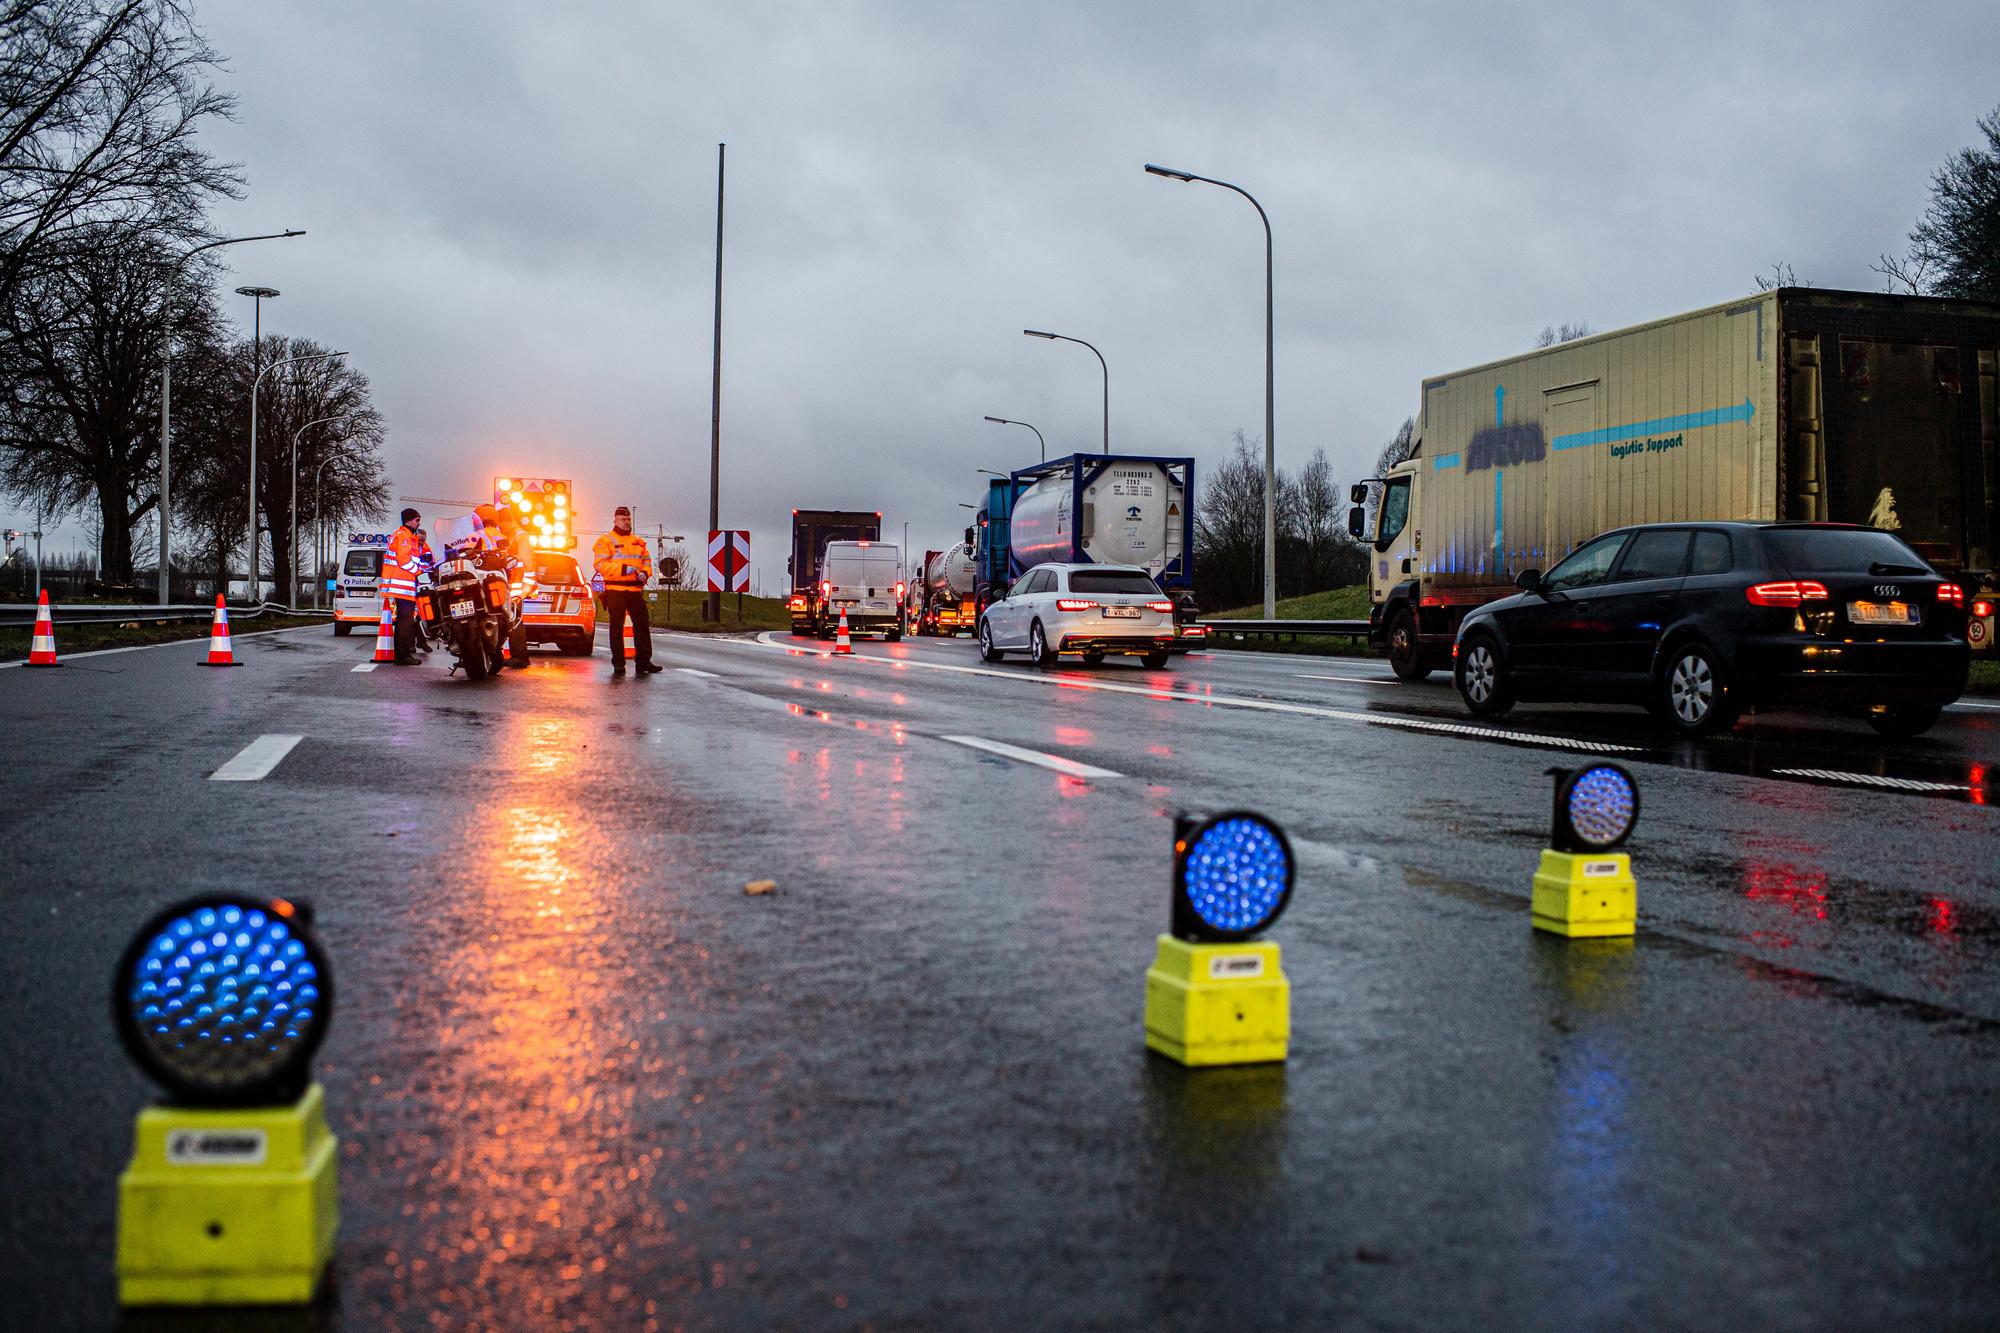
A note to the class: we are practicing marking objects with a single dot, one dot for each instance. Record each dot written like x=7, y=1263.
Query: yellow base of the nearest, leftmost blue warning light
x=229, y=1208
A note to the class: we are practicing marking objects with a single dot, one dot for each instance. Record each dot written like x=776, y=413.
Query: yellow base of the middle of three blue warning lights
x=1217, y=1004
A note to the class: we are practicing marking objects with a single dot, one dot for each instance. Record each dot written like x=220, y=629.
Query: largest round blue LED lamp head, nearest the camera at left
x=223, y=1000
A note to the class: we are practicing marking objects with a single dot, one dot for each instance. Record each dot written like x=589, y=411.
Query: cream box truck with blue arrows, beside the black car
x=1789, y=405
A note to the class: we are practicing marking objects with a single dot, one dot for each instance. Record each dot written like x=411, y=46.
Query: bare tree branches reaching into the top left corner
x=99, y=109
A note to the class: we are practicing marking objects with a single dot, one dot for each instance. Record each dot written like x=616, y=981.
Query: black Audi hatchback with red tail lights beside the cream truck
x=1701, y=619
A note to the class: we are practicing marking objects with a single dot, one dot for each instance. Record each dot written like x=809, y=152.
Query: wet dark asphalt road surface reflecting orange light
x=583, y=1082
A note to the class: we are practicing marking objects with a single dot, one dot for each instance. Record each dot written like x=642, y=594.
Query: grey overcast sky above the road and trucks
x=513, y=207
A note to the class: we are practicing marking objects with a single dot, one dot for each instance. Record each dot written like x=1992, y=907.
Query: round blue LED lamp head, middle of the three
x=1233, y=876
